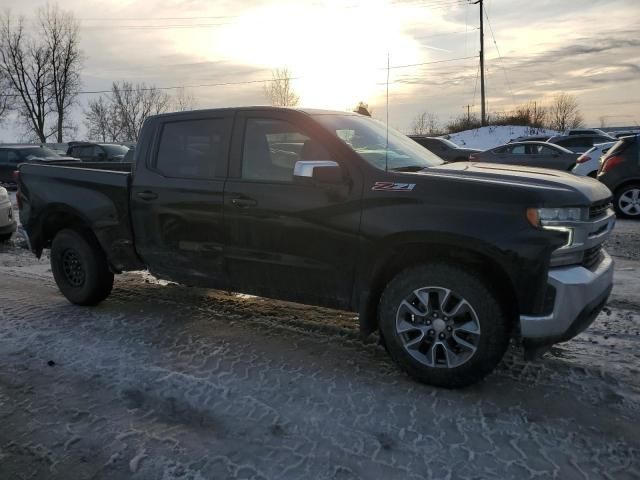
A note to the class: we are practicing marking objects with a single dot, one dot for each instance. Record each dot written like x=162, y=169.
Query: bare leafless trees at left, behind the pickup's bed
x=40, y=68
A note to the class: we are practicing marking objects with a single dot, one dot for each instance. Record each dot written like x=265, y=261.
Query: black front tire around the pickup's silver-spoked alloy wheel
x=490, y=342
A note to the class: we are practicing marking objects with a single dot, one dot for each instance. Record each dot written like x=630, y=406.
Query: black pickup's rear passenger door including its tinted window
x=177, y=197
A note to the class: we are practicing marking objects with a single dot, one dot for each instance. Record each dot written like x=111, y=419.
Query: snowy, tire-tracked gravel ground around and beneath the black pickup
x=167, y=382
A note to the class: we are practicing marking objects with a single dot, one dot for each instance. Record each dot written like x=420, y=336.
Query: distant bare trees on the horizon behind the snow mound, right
x=562, y=113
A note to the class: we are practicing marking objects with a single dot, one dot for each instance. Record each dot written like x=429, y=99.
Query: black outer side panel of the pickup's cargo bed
x=93, y=194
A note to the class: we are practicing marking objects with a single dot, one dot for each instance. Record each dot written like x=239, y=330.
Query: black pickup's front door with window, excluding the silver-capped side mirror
x=287, y=239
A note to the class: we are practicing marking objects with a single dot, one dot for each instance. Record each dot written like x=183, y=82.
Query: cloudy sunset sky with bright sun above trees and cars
x=338, y=53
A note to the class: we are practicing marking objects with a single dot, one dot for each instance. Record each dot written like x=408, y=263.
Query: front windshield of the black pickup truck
x=368, y=137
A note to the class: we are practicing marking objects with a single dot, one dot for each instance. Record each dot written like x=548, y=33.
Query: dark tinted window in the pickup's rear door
x=192, y=148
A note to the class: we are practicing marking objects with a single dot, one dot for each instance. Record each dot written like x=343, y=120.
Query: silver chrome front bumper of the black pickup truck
x=580, y=295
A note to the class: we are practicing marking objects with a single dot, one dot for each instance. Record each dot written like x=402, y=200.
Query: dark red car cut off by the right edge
x=620, y=171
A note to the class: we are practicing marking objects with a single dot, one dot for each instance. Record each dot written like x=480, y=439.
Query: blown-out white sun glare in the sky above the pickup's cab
x=337, y=54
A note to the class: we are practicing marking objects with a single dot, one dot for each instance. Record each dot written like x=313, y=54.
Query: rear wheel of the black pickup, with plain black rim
x=80, y=268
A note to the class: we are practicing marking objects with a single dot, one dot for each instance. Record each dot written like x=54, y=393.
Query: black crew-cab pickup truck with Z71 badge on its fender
x=446, y=261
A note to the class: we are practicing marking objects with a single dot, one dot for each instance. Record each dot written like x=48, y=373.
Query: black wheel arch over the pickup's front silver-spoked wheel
x=454, y=251
